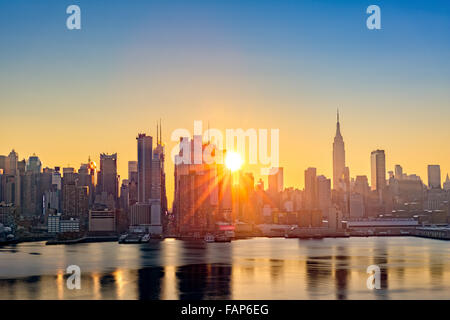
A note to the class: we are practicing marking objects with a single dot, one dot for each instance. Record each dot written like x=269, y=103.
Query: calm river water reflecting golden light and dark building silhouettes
x=260, y=268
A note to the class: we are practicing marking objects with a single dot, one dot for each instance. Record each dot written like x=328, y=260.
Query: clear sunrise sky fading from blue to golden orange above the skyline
x=66, y=95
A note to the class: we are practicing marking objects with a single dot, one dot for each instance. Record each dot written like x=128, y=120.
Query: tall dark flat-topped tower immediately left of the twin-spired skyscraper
x=145, y=157
